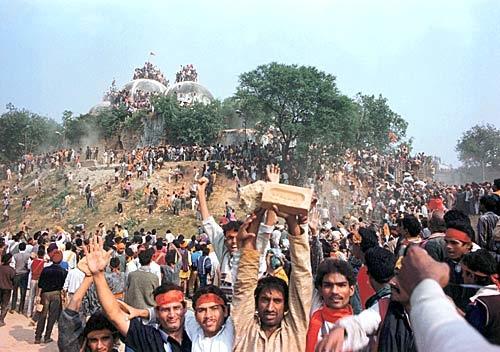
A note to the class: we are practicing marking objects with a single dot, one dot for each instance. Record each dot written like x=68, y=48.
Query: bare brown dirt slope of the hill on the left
x=47, y=208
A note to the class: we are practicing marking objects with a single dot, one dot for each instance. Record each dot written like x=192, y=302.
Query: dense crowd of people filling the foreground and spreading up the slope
x=274, y=281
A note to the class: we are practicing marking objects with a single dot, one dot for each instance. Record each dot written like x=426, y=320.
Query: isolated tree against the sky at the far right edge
x=480, y=146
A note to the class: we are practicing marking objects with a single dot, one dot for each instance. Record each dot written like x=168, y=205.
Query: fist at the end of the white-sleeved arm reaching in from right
x=417, y=266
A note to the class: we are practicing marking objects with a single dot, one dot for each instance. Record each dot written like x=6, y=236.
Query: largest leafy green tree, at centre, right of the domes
x=304, y=105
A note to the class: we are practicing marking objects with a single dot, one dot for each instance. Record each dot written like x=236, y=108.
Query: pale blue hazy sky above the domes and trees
x=437, y=62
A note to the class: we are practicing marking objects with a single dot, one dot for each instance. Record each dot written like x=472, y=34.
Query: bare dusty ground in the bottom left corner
x=17, y=335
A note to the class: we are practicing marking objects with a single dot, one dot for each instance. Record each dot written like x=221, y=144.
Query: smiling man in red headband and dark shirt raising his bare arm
x=166, y=335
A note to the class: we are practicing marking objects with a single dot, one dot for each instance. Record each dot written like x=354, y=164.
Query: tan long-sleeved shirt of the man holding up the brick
x=291, y=336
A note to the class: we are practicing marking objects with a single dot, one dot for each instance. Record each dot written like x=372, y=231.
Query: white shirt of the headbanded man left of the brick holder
x=222, y=342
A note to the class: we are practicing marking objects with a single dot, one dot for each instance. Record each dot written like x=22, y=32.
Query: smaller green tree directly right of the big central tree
x=378, y=124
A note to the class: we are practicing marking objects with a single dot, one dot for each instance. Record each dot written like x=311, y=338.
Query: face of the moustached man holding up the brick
x=270, y=308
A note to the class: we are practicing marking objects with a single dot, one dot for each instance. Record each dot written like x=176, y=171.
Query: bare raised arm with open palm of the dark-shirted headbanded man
x=97, y=260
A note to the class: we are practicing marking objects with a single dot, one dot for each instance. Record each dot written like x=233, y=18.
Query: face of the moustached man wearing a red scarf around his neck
x=336, y=291
